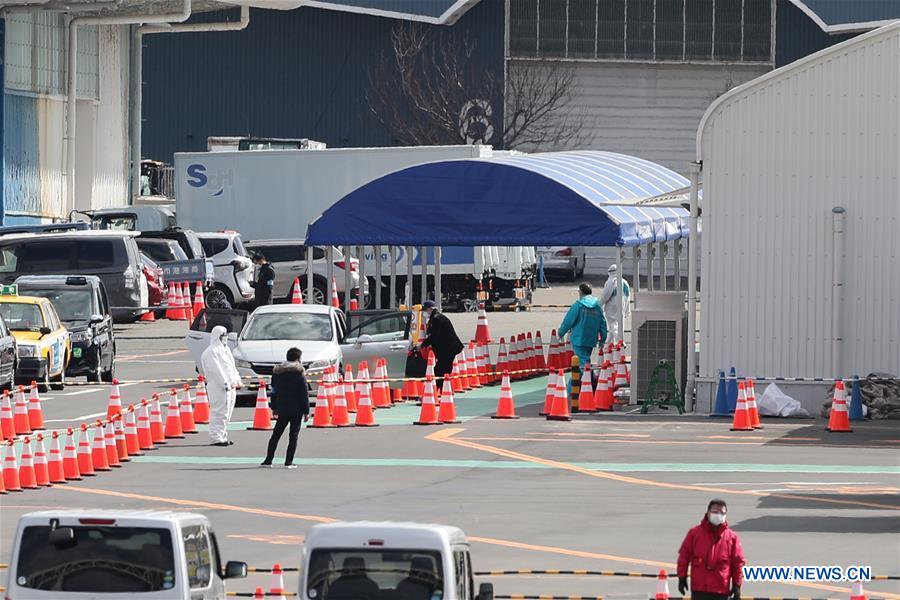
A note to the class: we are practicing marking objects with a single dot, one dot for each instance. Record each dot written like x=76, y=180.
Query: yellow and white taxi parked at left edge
x=43, y=345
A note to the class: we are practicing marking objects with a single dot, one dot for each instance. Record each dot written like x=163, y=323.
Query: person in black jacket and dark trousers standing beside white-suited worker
x=290, y=397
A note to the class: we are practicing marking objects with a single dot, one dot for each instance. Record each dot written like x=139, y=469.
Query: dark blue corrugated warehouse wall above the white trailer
x=294, y=74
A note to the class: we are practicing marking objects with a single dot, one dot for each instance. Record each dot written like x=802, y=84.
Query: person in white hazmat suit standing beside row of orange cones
x=222, y=383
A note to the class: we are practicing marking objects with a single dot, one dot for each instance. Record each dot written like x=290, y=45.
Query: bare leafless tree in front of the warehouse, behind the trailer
x=429, y=90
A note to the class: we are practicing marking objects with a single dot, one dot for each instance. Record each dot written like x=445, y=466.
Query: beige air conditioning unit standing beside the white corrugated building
x=659, y=333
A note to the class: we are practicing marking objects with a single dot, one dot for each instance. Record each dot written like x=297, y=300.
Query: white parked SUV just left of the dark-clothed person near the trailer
x=233, y=268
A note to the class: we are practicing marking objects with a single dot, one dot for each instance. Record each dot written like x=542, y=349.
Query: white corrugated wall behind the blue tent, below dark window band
x=650, y=110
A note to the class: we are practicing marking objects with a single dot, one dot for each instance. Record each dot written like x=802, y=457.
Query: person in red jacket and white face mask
x=714, y=554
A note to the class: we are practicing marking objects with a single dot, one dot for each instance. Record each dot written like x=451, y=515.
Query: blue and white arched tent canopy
x=557, y=198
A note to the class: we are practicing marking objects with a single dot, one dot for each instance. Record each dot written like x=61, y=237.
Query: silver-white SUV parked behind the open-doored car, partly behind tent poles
x=288, y=257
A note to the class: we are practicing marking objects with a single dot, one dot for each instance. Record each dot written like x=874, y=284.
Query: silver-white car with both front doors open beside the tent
x=260, y=340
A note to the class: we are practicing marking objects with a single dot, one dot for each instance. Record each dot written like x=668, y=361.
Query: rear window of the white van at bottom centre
x=388, y=574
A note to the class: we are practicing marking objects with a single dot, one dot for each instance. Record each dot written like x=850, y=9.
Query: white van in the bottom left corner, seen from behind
x=114, y=555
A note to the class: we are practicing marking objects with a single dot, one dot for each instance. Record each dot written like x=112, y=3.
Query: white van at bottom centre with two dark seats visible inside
x=388, y=561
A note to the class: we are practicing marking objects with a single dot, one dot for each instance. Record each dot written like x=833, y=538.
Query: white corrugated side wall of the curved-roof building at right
x=778, y=155
